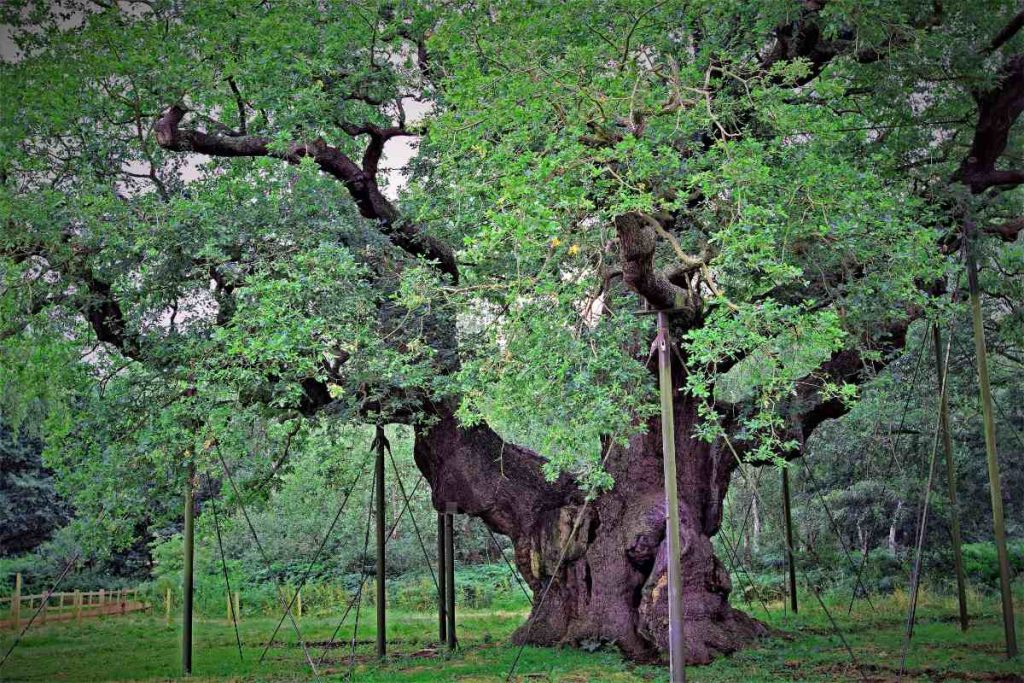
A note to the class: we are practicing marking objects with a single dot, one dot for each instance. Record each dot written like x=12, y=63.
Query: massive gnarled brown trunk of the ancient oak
x=611, y=586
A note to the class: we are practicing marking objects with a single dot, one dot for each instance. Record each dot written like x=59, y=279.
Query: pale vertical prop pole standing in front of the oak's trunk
x=677, y=639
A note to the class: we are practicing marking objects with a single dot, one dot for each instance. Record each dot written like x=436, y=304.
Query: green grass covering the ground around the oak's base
x=806, y=649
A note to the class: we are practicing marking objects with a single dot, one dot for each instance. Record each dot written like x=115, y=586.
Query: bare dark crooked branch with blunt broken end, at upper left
x=362, y=186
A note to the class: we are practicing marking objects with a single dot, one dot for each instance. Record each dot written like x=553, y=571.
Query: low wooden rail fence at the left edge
x=64, y=607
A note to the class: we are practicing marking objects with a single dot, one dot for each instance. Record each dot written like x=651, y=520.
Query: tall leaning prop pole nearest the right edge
x=1009, y=627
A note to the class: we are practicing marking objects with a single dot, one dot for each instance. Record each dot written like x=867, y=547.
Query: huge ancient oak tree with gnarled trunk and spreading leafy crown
x=208, y=215
